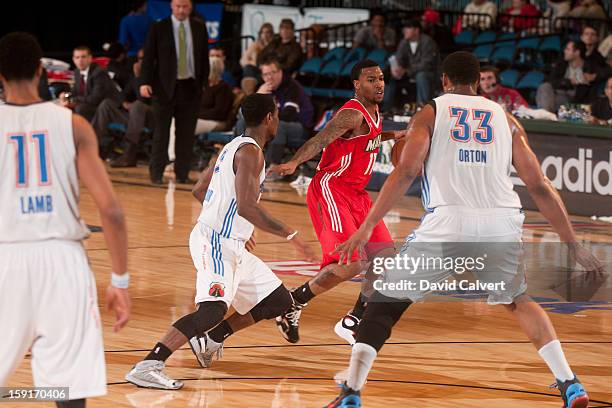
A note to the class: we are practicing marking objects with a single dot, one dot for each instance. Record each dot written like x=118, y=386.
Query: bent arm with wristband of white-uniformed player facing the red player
x=248, y=163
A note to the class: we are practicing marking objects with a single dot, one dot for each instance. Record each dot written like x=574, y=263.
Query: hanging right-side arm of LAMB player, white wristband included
x=93, y=175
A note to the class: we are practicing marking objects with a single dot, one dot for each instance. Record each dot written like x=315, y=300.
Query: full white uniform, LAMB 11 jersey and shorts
x=48, y=295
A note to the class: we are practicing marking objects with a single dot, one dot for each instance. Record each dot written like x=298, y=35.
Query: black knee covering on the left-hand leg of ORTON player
x=378, y=320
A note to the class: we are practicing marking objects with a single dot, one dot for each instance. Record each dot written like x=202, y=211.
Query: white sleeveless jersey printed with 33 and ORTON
x=470, y=155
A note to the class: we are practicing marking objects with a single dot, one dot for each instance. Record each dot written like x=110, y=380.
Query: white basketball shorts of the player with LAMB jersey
x=48, y=302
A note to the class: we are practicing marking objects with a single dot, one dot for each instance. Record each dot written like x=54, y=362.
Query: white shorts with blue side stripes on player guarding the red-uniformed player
x=227, y=272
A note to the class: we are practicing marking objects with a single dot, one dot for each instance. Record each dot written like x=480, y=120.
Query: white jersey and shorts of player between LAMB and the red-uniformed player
x=226, y=270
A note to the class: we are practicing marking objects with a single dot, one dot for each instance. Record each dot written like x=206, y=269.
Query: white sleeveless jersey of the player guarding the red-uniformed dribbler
x=219, y=210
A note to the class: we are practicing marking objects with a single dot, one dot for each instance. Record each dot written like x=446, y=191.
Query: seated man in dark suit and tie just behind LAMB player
x=92, y=85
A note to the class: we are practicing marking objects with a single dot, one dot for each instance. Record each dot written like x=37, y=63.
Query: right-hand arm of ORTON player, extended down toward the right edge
x=545, y=195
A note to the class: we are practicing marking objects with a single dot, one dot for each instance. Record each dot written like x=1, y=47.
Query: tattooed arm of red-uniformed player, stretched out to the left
x=345, y=121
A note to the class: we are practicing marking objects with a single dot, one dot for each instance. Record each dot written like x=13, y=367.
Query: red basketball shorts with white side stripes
x=337, y=211
